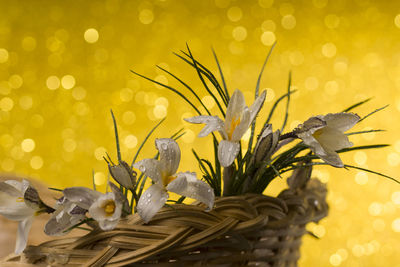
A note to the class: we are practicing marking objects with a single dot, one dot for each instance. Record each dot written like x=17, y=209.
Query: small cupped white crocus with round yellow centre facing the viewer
x=106, y=209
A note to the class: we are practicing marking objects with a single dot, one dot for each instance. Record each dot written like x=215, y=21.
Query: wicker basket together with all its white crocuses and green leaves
x=231, y=223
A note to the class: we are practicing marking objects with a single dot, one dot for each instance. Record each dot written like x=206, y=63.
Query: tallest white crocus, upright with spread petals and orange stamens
x=238, y=119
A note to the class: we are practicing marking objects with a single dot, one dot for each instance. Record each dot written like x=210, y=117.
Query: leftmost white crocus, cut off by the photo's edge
x=13, y=207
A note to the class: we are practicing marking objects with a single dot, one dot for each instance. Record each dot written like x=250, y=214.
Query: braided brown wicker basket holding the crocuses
x=249, y=230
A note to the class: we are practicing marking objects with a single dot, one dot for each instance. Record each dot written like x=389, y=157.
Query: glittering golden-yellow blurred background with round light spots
x=65, y=64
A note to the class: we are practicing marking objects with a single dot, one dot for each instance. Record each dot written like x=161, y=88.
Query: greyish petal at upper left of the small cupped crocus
x=83, y=196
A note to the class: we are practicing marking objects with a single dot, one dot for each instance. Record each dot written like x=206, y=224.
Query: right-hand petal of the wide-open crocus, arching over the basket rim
x=186, y=184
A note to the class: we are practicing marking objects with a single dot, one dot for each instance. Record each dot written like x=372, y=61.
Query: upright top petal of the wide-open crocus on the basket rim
x=170, y=155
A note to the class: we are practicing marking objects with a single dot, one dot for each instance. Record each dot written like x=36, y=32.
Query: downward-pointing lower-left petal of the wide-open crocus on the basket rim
x=151, y=202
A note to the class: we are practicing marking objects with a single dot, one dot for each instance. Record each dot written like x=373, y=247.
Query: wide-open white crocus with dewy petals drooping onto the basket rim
x=163, y=173
